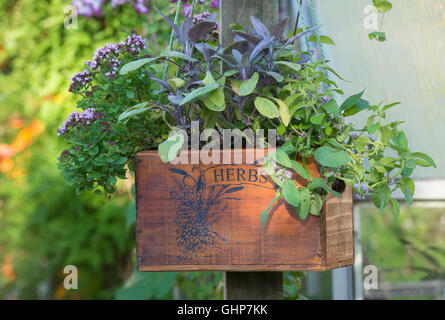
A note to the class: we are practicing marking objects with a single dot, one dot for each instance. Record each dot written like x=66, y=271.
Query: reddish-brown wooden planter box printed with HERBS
x=207, y=217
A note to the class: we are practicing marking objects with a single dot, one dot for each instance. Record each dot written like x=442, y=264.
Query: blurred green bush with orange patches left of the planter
x=44, y=225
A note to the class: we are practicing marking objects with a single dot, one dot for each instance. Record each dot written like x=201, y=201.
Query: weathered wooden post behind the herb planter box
x=249, y=285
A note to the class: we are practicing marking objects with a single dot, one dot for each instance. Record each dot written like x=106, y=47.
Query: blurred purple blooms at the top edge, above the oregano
x=93, y=8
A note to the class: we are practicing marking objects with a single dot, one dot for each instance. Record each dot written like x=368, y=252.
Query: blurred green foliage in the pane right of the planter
x=408, y=251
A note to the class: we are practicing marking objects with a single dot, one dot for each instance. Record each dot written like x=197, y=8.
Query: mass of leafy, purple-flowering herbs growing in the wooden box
x=260, y=81
